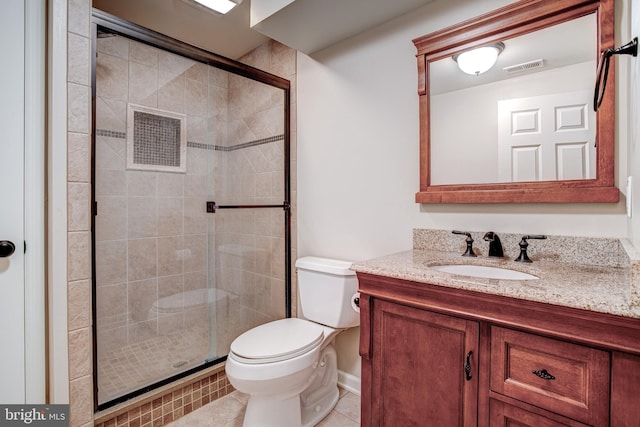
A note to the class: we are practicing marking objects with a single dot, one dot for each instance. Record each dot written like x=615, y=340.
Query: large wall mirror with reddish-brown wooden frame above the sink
x=525, y=130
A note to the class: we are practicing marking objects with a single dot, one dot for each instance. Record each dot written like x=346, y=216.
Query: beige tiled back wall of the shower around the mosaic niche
x=151, y=226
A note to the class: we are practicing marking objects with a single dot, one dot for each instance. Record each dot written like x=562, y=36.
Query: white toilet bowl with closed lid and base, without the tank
x=276, y=380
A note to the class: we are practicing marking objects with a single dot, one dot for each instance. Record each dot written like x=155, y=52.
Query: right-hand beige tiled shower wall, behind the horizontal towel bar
x=250, y=242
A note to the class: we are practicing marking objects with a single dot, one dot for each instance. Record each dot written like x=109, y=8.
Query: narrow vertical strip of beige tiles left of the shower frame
x=78, y=212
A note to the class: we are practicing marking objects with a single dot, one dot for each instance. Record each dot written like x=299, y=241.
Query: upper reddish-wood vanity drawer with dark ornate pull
x=568, y=379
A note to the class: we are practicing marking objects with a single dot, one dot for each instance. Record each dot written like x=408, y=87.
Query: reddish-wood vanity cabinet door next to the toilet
x=418, y=373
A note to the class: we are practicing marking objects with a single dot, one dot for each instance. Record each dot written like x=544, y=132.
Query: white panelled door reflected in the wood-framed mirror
x=546, y=138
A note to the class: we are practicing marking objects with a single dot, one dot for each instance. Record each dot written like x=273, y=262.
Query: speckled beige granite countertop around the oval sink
x=600, y=288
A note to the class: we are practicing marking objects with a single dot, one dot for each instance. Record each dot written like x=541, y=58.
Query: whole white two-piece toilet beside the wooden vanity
x=288, y=367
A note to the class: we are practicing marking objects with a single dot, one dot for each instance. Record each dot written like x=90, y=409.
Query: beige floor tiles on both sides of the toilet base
x=228, y=412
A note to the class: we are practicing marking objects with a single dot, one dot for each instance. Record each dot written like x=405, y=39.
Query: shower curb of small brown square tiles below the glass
x=169, y=403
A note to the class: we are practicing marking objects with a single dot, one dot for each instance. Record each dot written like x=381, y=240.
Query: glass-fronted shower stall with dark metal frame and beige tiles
x=191, y=214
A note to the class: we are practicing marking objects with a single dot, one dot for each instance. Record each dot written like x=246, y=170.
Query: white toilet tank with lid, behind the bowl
x=326, y=290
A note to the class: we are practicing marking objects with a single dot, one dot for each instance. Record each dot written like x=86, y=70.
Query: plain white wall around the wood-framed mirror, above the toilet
x=358, y=153
